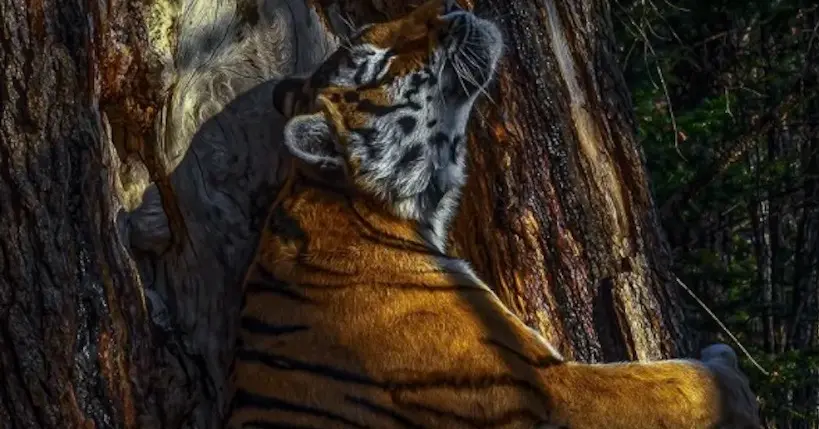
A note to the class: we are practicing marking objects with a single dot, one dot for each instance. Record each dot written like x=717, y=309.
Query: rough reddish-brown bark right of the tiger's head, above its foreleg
x=557, y=215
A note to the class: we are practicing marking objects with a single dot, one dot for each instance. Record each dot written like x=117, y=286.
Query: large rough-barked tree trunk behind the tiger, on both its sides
x=140, y=150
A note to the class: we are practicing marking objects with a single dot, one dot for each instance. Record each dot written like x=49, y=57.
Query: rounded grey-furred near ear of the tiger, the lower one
x=311, y=139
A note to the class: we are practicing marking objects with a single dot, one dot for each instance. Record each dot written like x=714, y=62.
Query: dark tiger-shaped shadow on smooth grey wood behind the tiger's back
x=223, y=184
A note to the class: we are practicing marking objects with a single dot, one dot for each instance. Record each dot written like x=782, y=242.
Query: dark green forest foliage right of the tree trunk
x=715, y=78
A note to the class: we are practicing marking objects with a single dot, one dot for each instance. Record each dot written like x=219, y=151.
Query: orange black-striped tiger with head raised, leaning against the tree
x=354, y=314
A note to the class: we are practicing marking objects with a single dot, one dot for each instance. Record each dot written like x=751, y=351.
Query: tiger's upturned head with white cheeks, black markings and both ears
x=386, y=114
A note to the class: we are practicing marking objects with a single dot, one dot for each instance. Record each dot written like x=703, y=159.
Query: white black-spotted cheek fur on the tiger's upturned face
x=406, y=145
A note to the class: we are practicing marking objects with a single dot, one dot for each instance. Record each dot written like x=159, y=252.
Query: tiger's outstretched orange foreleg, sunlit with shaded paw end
x=710, y=393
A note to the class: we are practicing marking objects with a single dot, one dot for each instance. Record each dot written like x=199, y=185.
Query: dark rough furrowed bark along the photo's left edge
x=75, y=348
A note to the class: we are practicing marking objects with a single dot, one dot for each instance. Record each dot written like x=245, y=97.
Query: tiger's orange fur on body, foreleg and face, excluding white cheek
x=352, y=319
